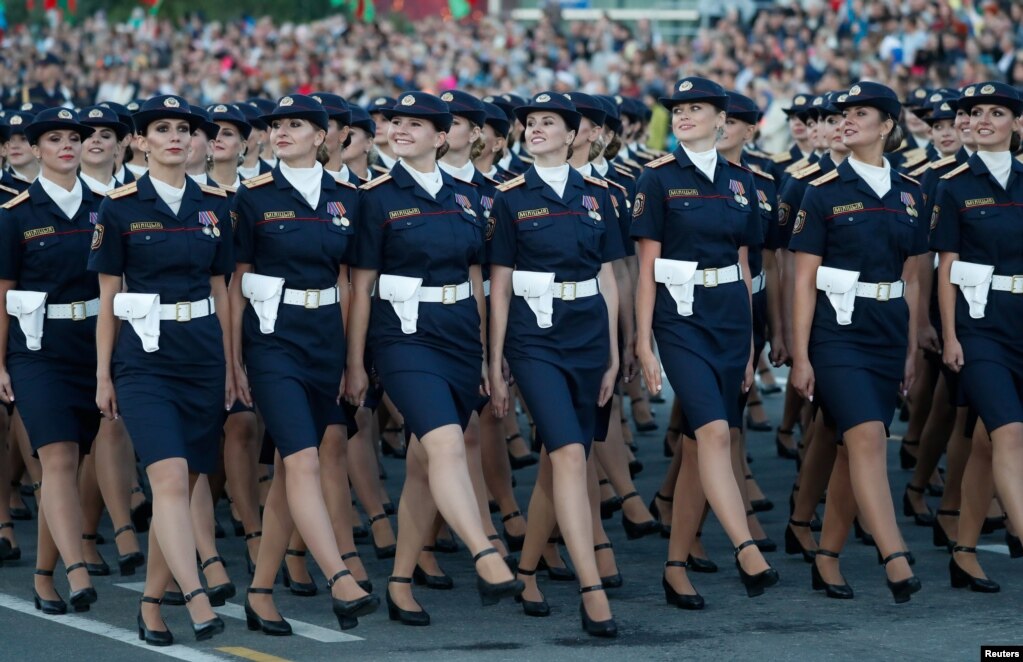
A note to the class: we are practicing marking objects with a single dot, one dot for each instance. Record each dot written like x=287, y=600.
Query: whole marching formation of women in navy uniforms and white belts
x=251, y=301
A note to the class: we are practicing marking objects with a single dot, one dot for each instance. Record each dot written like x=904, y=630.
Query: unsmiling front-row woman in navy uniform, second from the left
x=169, y=240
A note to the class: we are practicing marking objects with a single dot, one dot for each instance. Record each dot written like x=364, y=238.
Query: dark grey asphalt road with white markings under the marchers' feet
x=789, y=623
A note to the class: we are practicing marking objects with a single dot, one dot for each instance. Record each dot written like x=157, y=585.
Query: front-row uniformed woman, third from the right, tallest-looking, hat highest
x=694, y=218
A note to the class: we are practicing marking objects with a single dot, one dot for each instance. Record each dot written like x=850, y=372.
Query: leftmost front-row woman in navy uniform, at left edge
x=48, y=340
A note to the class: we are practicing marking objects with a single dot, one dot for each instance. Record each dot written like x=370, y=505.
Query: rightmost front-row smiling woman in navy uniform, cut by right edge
x=978, y=233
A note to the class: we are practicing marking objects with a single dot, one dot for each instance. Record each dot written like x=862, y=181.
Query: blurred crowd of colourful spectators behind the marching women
x=772, y=55
